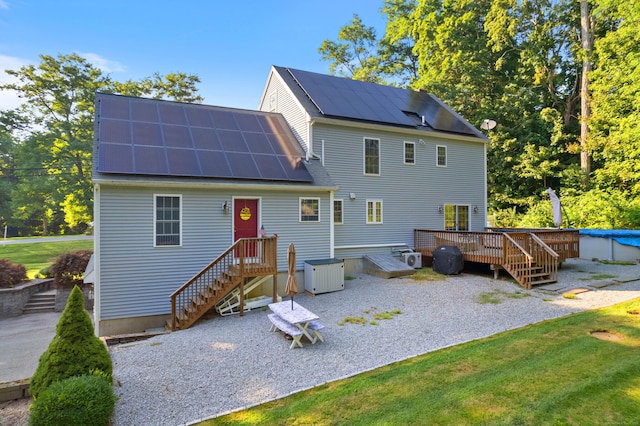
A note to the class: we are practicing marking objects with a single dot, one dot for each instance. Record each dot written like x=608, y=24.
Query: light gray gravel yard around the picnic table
x=229, y=363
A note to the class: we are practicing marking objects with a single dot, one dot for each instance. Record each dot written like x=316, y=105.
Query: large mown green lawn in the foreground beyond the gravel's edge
x=554, y=372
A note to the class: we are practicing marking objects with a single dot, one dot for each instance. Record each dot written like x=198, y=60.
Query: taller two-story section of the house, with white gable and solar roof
x=402, y=159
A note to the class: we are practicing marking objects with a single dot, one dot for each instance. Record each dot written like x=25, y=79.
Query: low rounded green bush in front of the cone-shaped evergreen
x=83, y=400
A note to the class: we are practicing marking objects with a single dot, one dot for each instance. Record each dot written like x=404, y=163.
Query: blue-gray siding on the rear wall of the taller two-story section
x=411, y=194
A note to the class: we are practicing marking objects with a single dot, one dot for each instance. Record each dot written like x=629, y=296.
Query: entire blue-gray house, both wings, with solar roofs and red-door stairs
x=195, y=205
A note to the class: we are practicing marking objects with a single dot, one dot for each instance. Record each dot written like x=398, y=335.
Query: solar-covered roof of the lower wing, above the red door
x=152, y=137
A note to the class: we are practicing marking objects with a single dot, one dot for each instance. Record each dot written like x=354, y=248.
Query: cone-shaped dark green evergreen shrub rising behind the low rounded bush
x=74, y=350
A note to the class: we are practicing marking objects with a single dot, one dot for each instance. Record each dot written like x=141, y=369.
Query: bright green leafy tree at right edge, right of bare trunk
x=614, y=124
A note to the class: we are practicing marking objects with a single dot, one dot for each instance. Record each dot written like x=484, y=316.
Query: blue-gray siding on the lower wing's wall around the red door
x=136, y=278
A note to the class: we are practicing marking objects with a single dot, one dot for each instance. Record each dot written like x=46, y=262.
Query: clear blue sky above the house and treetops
x=229, y=44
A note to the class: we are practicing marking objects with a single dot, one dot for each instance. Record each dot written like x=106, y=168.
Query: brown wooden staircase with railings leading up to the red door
x=244, y=262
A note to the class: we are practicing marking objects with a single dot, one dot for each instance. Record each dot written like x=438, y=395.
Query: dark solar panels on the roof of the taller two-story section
x=359, y=100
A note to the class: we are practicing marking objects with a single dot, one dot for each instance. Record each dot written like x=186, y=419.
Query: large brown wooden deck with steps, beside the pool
x=531, y=256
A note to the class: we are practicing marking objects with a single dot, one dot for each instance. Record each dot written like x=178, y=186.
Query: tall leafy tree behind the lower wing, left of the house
x=54, y=127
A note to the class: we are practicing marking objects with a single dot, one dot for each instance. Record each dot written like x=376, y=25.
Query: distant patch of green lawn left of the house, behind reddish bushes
x=37, y=256
